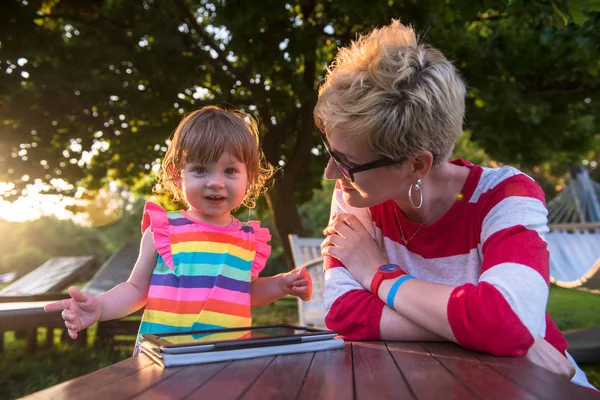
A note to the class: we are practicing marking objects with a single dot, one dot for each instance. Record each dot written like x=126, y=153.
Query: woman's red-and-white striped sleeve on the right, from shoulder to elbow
x=505, y=310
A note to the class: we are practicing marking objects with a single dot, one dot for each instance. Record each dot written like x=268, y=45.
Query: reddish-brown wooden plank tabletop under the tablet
x=362, y=370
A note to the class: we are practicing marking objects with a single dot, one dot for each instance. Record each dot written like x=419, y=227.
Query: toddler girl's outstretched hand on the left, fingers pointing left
x=79, y=312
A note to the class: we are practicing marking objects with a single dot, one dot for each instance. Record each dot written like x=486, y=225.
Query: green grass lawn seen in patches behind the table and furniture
x=21, y=374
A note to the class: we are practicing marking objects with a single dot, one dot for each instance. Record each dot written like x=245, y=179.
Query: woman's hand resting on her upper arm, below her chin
x=348, y=241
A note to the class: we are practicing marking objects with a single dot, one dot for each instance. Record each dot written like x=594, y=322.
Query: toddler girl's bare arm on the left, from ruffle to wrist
x=130, y=296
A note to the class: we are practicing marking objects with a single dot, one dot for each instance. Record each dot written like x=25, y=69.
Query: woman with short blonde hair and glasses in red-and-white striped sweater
x=466, y=244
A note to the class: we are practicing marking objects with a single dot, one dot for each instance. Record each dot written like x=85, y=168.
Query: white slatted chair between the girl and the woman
x=307, y=253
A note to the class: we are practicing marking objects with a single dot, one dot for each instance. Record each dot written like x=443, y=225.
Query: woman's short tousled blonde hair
x=405, y=97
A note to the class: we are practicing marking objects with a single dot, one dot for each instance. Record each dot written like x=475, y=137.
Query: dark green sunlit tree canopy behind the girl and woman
x=90, y=90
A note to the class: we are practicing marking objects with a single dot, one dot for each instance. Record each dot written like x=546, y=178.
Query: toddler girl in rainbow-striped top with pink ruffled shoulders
x=198, y=268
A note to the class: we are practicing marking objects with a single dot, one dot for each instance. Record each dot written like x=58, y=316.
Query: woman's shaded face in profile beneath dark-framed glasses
x=370, y=187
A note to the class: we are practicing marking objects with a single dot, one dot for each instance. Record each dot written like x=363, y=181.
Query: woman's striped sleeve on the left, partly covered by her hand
x=350, y=310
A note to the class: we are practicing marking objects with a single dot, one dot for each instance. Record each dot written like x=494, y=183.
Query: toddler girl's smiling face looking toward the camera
x=213, y=190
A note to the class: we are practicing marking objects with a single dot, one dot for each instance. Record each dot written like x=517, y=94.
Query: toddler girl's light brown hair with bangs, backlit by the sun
x=202, y=136
